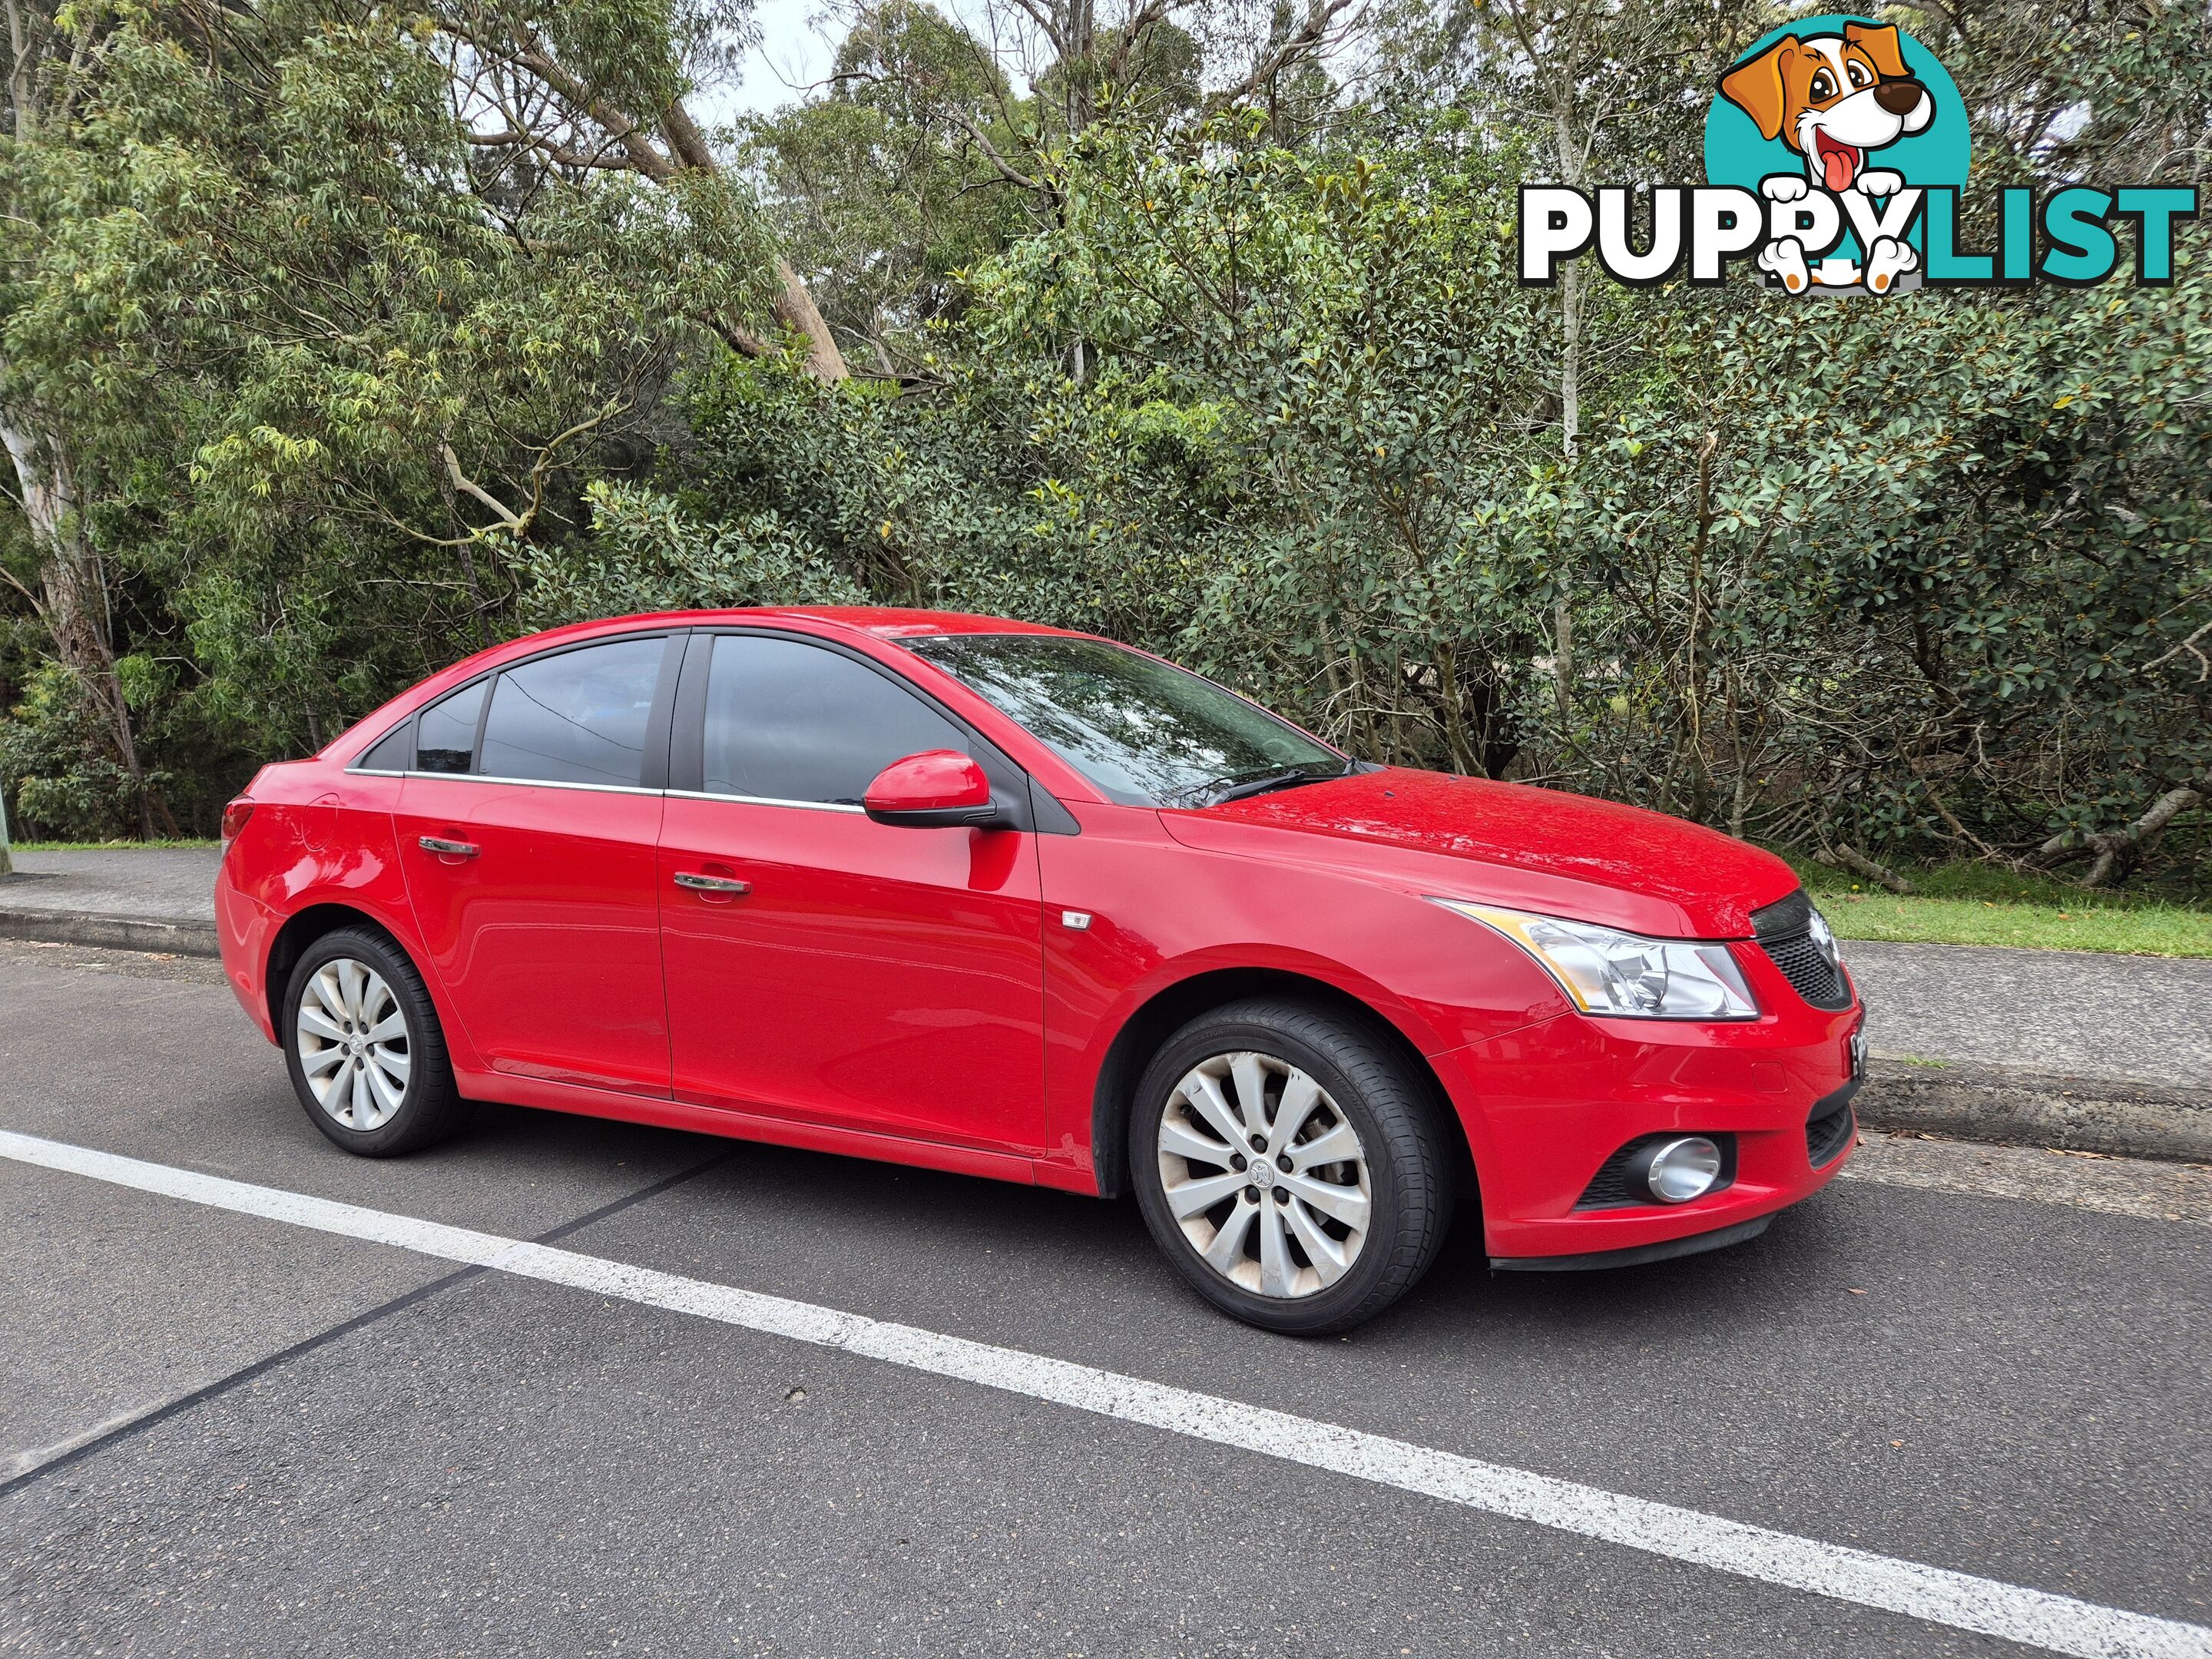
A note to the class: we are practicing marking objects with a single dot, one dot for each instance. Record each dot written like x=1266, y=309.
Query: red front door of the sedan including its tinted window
x=864, y=977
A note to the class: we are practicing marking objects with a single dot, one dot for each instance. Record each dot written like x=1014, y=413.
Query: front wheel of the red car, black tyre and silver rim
x=1288, y=1167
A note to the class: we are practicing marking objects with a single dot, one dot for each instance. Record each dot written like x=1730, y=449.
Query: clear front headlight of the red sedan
x=1625, y=974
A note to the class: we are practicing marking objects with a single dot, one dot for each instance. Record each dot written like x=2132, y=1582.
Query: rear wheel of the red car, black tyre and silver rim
x=364, y=1047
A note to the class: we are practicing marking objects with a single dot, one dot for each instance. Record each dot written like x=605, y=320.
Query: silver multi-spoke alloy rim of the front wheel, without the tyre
x=1266, y=1176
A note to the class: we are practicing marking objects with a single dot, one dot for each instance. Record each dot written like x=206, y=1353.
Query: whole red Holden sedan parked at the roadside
x=1025, y=904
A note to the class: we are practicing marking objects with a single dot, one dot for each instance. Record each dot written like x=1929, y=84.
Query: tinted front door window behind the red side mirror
x=789, y=722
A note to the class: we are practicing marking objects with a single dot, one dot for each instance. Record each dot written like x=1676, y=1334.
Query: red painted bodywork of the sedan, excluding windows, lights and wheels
x=932, y=997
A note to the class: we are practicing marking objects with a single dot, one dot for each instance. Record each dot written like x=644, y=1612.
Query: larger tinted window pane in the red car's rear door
x=578, y=718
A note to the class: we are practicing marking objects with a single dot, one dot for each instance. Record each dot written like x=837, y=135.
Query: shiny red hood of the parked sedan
x=1507, y=844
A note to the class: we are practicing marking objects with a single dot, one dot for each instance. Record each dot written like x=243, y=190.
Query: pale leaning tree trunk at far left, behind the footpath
x=76, y=592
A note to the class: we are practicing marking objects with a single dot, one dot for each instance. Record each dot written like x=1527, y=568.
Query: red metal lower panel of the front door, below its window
x=875, y=979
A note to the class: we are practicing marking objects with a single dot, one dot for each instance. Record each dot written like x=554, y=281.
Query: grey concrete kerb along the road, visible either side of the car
x=1959, y=1100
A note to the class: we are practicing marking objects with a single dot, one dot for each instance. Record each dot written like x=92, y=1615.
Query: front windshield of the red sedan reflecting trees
x=1142, y=731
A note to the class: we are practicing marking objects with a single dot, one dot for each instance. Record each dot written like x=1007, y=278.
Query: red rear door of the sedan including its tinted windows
x=528, y=831
